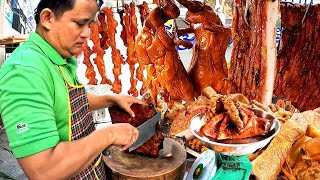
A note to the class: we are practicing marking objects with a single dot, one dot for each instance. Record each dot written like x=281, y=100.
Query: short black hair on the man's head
x=58, y=7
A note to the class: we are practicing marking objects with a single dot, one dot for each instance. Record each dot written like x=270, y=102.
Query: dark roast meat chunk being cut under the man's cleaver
x=142, y=114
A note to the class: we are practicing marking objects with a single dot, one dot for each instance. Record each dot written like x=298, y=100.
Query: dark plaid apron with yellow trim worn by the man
x=81, y=124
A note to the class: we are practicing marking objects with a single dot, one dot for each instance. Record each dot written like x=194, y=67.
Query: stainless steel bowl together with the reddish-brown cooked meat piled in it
x=237, y=134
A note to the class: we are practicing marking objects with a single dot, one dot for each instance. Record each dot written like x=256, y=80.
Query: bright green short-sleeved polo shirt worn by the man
x=33, y=97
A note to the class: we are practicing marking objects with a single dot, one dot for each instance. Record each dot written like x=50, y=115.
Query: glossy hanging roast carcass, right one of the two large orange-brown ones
x=208, y=64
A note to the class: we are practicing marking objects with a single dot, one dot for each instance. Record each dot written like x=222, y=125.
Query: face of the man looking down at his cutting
x=70, y=30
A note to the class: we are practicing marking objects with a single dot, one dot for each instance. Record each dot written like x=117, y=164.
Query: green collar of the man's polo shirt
x=48, y=50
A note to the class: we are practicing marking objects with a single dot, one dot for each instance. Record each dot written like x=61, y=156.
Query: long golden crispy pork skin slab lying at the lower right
x=278, y=150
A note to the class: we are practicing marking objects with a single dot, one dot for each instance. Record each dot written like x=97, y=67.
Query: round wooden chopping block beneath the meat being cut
x=121, y=165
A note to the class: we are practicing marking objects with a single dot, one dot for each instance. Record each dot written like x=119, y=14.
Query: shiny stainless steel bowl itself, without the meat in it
x=234, y=149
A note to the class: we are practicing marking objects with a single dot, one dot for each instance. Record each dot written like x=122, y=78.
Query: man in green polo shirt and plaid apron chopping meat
x=48, y=126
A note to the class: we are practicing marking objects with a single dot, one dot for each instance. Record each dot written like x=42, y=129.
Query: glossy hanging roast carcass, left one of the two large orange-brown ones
x=156, y=49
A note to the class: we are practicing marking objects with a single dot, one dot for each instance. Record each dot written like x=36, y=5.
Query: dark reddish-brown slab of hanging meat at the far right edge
x=297, y=72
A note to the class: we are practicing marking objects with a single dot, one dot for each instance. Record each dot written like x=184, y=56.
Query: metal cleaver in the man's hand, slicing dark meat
x=146, y=131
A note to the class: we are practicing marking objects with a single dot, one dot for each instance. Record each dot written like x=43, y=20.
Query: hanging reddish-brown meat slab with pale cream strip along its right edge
x=253, y=59
